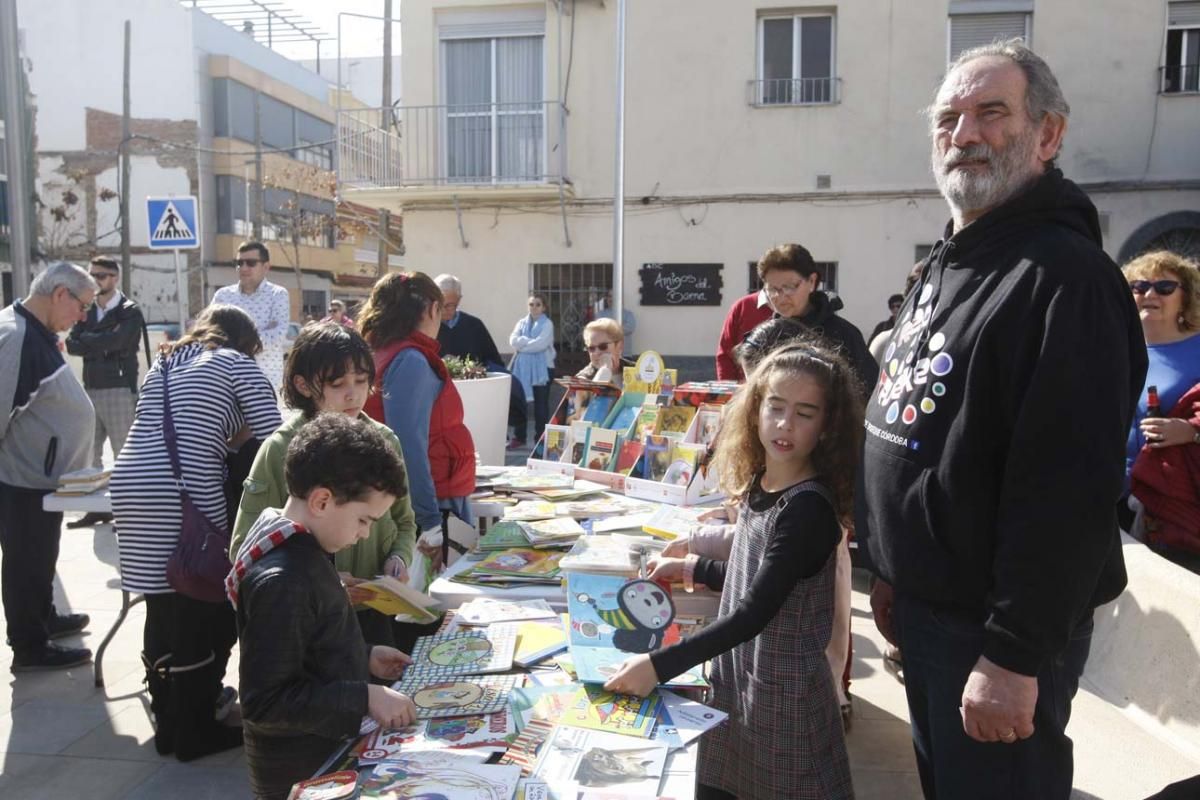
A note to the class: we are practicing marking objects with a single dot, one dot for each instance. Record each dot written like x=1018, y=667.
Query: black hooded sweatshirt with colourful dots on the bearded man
x=993, y=455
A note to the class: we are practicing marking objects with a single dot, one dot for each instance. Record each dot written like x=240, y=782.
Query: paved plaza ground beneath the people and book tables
x=63, y=738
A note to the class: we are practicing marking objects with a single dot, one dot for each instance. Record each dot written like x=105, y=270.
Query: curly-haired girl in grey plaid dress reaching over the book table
x=788, y=453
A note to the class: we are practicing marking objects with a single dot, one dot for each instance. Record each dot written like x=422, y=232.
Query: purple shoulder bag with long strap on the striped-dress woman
x=201, y=562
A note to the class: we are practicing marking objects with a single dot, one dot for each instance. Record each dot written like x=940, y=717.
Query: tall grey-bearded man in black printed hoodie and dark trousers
x=993, y=458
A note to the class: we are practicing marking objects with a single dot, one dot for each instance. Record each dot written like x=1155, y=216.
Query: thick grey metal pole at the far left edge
x=20, y=187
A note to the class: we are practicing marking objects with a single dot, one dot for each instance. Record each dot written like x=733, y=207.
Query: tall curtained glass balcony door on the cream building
x=495, y=121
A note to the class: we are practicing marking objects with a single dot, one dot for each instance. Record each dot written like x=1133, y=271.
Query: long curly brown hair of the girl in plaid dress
x=741, y=456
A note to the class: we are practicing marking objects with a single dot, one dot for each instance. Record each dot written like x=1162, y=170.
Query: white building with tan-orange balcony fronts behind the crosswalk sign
x=215, y=115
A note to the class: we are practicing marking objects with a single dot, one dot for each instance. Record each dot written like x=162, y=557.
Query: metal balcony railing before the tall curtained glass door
x=483, y=145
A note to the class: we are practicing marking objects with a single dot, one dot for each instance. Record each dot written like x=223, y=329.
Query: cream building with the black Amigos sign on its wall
x=747, y=124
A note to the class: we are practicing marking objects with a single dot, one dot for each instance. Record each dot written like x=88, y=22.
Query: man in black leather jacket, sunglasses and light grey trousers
x=109, y=342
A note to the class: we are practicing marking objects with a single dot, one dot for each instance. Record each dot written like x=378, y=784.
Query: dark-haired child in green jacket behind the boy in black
x=331, y=369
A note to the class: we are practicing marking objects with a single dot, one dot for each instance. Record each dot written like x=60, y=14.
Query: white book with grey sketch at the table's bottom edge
x=575, y=760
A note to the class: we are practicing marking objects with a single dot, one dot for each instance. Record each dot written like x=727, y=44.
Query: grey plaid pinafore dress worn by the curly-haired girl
x=784, y=738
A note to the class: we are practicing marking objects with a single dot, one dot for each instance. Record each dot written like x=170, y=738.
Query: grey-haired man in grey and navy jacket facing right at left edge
x=46, y=430
